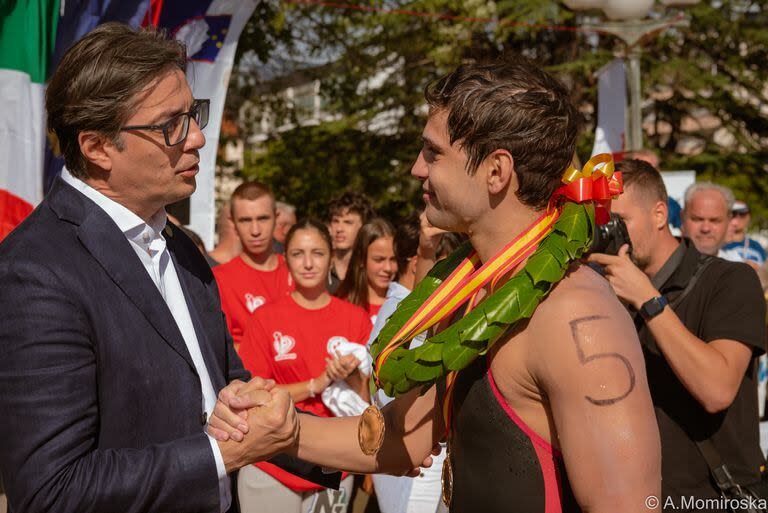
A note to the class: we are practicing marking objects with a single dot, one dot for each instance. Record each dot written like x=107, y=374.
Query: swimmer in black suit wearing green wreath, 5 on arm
x=533, y=371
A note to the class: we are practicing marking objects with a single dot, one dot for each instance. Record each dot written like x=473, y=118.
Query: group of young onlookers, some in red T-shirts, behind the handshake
x=301, y=298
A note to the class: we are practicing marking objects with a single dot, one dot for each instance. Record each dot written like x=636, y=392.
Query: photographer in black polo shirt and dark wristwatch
x=700, y=322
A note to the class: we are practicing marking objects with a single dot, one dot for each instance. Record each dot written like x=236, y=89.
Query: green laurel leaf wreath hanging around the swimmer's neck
x=473, y=335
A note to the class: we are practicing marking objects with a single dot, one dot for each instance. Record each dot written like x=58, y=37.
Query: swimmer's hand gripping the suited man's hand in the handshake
x=231, y=422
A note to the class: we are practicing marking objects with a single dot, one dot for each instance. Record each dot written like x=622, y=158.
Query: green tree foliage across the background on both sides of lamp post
x=379, y=56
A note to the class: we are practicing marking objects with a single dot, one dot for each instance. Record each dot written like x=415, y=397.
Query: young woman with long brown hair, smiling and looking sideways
x=372, y=267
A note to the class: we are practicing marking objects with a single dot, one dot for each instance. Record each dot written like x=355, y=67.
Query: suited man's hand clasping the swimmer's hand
x=272, y=428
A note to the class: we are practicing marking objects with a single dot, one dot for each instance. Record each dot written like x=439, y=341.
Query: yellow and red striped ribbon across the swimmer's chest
x=465, y=281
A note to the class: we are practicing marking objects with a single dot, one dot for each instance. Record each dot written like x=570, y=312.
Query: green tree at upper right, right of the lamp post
x=716, y=66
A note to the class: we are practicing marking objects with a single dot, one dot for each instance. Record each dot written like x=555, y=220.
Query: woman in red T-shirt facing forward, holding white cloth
x=293, y=341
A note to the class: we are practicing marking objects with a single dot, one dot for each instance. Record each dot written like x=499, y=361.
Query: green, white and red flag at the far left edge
x=27, y=39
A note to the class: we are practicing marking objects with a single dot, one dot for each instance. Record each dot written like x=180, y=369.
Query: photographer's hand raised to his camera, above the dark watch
x=628, y=282
